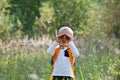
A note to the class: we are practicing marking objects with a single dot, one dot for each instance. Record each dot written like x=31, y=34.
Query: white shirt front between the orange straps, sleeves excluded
x=62, y=65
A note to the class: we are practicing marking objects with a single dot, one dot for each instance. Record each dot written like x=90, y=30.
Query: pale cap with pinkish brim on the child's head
x=65, y=30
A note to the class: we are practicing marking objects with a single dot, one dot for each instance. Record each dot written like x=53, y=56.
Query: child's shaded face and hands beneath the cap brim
x=63, y=40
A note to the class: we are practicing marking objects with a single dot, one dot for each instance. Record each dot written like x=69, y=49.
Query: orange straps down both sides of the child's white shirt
x=54, y=57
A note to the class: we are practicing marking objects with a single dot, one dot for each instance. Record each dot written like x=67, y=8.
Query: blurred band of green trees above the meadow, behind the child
x=88, y=18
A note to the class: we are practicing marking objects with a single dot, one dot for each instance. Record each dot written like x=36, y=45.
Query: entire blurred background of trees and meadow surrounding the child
x=30, y=26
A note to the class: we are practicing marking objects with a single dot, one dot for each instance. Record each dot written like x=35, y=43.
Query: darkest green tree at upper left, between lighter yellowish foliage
x=25, y=12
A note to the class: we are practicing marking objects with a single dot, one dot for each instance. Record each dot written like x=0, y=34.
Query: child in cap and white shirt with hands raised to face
x=63, y=52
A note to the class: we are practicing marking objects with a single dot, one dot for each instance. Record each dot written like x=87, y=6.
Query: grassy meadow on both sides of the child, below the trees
x=98, y=59
